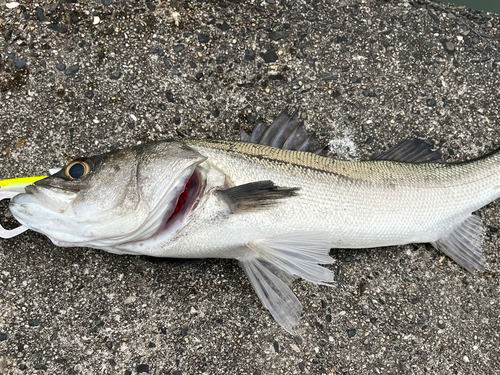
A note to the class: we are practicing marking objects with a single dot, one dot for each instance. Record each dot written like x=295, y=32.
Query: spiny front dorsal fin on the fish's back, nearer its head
x=286, y=132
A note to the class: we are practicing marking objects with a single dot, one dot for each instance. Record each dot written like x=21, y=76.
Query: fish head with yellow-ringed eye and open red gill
x=108, y=200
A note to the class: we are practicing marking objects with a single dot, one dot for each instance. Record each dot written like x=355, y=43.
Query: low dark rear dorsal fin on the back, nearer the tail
x=412, y=151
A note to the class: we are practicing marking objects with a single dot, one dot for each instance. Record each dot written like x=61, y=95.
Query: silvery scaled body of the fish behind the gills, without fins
x=359, y=204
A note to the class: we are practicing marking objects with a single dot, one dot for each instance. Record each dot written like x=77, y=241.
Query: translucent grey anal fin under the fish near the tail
x=463, y=244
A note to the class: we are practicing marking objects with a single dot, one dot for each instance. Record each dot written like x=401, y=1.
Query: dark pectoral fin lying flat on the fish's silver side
x=256, y=195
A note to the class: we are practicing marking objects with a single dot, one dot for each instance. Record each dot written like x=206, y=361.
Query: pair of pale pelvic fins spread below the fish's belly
x=272, y=264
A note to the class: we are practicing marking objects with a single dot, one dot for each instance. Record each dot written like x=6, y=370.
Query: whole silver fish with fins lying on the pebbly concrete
x=274, y=201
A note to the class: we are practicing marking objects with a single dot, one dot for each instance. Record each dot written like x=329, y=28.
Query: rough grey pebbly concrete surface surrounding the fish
x=85, y=77
